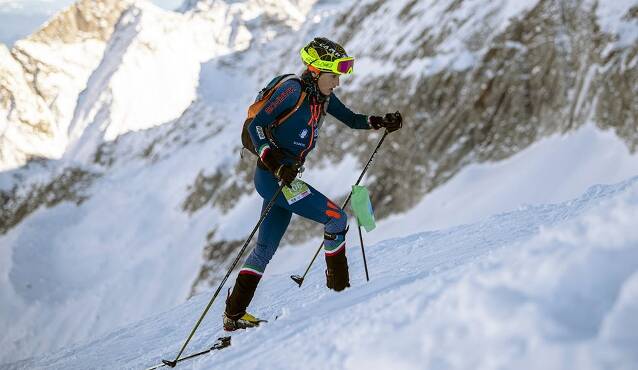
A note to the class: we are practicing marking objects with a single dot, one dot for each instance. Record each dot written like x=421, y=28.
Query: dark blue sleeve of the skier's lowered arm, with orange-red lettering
x=284, y=98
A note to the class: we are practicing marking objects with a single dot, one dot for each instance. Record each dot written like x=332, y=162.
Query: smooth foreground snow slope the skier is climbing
x=550, y=286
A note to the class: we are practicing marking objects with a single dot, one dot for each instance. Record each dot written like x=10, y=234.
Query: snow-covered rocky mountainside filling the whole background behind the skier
x=505, y=104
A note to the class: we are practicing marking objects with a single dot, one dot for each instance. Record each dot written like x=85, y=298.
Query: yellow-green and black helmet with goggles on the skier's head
x=327, y=56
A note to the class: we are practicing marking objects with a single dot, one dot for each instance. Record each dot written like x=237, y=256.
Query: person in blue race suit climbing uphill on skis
x=282, y=150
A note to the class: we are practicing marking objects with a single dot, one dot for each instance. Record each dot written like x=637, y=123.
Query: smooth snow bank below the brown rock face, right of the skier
x=557, y=168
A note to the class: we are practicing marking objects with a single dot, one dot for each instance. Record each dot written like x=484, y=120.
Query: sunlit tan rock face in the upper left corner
x=41, y=77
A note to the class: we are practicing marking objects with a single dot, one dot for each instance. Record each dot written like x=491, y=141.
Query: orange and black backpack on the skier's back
x=260, y=101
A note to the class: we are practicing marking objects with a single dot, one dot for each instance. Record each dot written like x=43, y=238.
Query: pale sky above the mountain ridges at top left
x=20, y=18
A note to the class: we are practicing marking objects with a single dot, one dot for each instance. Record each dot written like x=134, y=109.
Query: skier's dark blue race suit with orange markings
x=297, y=136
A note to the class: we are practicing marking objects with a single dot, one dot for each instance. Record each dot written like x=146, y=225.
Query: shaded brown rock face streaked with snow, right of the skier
x=548, y=70
